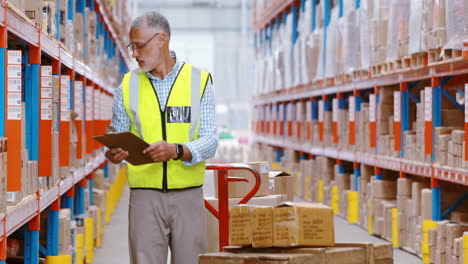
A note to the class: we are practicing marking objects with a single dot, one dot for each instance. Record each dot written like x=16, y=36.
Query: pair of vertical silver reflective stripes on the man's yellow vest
x=194, y=100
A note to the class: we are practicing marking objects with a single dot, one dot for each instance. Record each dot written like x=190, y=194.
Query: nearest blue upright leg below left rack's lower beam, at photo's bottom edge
x=31, y=241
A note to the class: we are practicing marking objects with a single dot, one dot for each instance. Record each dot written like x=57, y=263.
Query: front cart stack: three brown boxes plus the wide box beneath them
x=299, y=233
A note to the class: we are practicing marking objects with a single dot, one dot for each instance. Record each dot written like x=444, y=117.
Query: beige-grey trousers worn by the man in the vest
x=159, y=220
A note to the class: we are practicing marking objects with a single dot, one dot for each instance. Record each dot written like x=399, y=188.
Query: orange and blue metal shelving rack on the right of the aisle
x=436, y=73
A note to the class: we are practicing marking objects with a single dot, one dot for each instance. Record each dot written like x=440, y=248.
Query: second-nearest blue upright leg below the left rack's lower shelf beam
x=53, y=228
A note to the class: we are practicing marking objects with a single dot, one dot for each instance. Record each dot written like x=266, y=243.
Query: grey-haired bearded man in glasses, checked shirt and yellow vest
x=170, y=104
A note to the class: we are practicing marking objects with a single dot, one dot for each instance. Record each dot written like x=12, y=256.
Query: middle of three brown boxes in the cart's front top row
x=262, y=226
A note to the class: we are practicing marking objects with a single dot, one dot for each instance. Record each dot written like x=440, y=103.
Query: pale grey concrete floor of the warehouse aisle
x=115, y=242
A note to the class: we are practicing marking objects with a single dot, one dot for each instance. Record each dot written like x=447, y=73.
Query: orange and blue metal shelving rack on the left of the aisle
x=39, y=46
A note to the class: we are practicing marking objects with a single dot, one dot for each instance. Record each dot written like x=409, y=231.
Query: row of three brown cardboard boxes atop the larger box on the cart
x=286, y=225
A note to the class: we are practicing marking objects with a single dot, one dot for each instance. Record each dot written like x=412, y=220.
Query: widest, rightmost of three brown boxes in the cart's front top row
x=303, y=224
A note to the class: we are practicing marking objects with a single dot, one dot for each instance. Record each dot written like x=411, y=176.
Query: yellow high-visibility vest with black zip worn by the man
x=178, y=123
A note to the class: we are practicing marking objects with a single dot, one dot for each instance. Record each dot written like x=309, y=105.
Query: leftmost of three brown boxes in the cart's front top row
x=240, y=232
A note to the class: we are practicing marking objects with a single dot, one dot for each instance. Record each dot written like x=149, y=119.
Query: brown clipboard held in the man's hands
x=128, y=142
